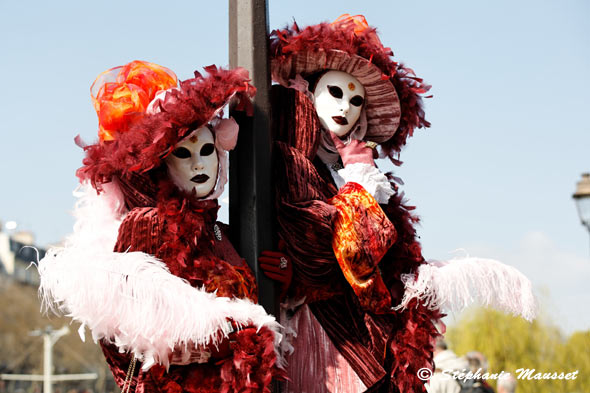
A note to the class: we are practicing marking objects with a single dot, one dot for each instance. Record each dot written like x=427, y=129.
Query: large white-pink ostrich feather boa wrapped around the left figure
x=131, y=299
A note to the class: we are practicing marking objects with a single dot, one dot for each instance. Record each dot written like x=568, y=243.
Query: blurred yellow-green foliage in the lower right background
x=511, y=343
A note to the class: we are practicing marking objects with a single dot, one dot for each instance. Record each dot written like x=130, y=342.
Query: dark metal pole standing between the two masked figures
x=251, y=206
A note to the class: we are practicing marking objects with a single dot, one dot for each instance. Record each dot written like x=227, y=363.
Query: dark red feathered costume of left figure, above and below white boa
x=179, y=230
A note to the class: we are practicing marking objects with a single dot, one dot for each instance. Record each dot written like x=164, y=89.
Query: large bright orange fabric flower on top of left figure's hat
x=122, y=94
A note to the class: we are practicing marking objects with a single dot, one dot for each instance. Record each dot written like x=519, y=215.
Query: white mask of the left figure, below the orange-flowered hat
x=193, y=164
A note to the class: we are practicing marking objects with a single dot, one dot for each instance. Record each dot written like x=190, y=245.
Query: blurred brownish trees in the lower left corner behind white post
x=23, y=354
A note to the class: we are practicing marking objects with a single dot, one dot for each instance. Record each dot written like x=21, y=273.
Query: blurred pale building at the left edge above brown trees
x=17, y=251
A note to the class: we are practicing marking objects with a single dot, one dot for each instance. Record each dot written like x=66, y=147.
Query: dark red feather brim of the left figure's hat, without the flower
x=196, y=102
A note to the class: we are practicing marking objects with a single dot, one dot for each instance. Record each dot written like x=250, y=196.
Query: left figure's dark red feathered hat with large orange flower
x=153, y=117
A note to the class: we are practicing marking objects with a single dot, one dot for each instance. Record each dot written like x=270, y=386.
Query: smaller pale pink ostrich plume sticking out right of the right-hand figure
x=456, y=284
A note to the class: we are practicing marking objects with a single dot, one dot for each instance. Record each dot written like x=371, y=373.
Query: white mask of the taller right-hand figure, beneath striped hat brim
x=338, y=101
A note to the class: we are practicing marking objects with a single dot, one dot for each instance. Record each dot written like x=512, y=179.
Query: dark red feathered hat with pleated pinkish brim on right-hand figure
x=393, y=101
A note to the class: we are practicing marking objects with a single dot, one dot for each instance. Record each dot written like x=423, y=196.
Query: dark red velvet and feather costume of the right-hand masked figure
x=386, y=350
